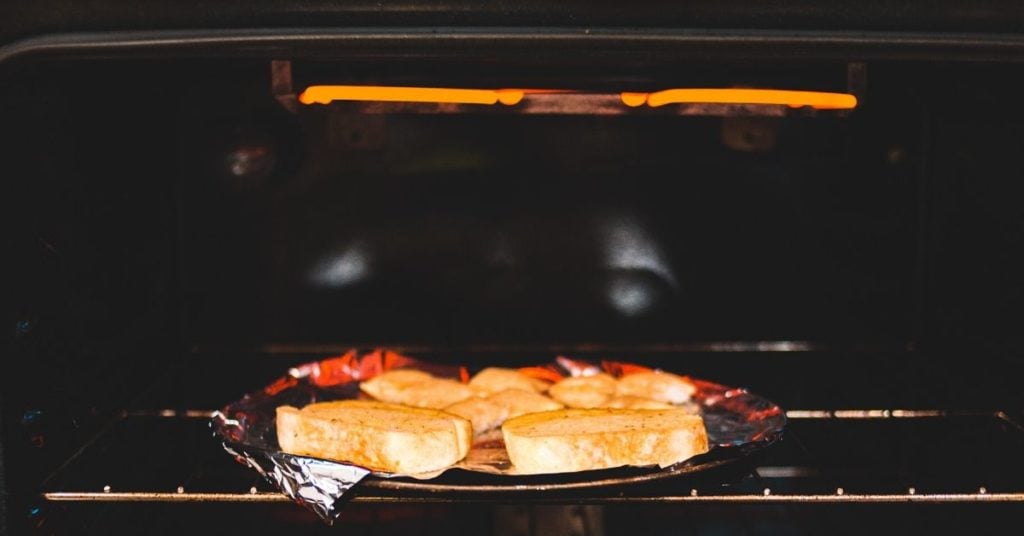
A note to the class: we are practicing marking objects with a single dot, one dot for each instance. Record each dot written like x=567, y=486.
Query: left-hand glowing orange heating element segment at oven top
x=326, y=95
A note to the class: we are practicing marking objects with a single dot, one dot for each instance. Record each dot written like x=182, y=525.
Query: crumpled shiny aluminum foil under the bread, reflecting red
x=737, y=422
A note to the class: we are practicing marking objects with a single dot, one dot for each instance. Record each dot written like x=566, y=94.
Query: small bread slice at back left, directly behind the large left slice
x=413, y=388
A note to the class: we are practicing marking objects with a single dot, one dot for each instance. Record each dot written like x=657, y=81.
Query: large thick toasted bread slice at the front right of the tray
x=575, y=440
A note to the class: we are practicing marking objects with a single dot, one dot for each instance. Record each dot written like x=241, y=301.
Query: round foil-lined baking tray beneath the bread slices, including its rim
x=739, y=424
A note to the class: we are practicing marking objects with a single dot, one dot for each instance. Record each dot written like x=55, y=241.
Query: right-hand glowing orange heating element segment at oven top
x=793, y=99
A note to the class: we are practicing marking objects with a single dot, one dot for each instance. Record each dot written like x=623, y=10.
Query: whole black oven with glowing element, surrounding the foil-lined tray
x=816, y=201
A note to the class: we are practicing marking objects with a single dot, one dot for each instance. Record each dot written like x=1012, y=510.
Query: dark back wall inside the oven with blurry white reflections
x=516, y=229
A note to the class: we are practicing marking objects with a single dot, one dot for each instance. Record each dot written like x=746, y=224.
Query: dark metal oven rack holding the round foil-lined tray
x=827, y=457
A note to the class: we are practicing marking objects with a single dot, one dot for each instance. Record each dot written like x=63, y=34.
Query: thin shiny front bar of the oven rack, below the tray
x=694, y=497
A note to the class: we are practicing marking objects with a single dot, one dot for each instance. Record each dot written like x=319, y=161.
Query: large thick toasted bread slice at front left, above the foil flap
x=374, y=435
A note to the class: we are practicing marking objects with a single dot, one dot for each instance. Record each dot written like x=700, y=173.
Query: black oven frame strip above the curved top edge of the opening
x=25, y=20
